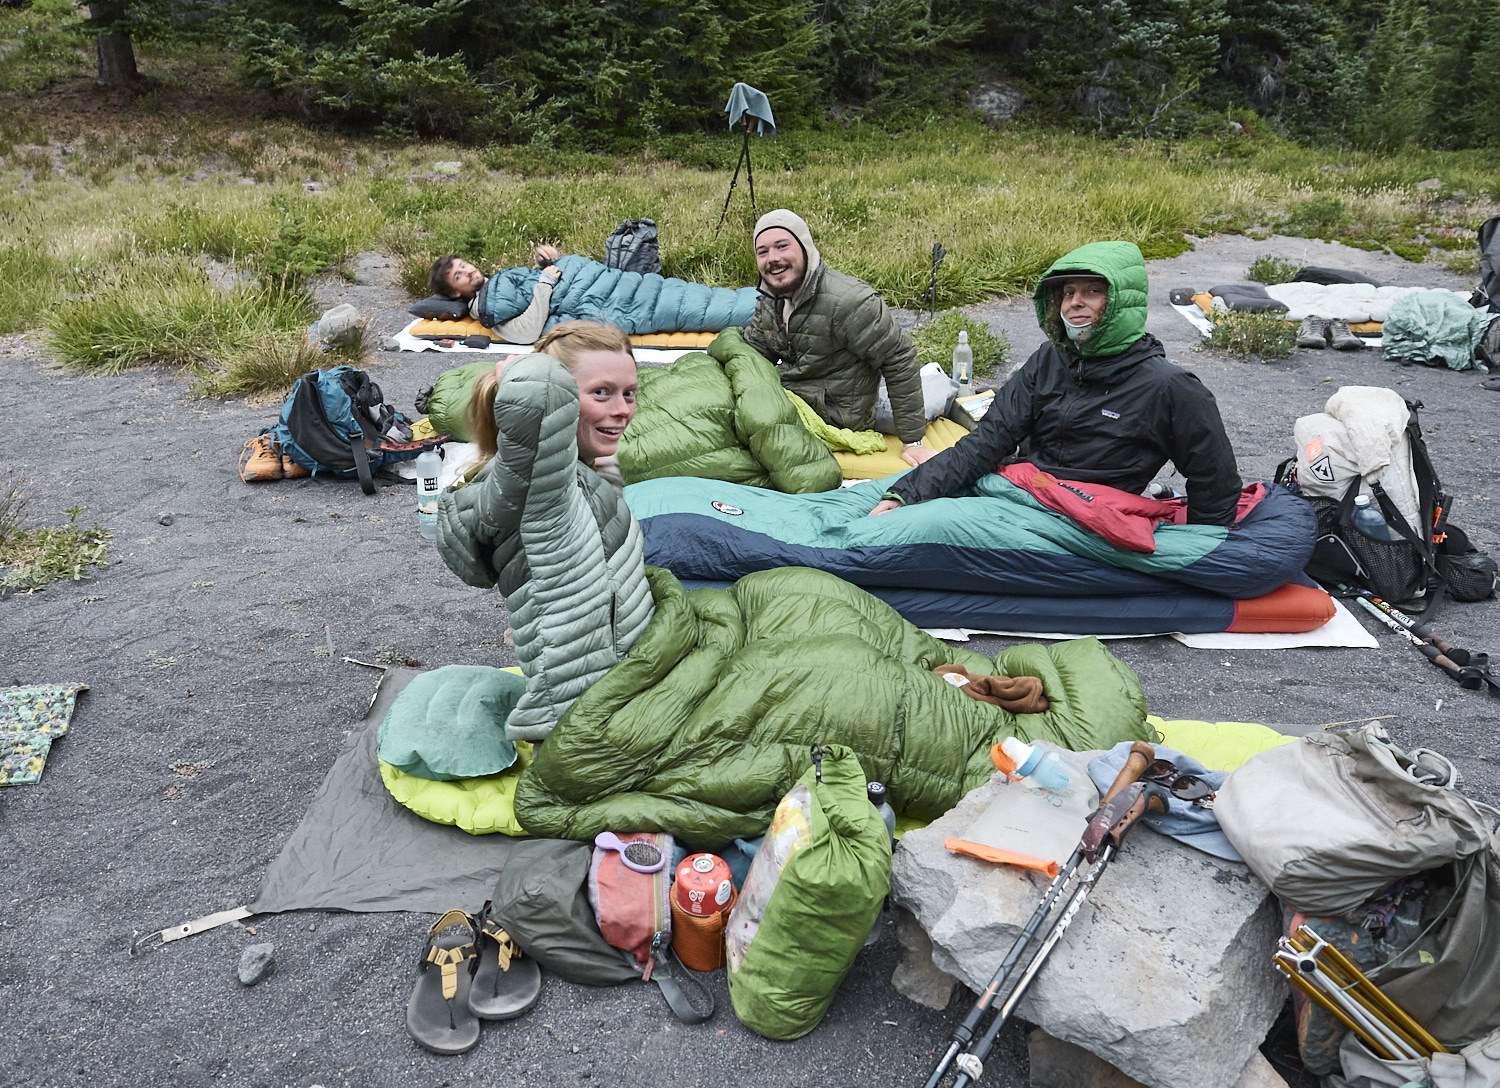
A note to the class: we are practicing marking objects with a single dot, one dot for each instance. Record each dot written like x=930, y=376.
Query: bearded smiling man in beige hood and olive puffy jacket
x=832, y=337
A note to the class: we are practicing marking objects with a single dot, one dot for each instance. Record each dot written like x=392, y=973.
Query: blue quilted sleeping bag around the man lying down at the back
x=634, y=301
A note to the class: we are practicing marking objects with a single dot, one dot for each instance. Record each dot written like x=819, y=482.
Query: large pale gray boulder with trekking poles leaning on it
x=1165, y=973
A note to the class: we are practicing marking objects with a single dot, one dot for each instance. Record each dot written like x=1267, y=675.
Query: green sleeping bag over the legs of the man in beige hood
x=724, y=416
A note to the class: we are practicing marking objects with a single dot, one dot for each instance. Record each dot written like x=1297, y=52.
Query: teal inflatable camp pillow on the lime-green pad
x=451, y=724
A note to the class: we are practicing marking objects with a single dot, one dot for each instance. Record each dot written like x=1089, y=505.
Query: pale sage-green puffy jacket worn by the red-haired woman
x=557, y=539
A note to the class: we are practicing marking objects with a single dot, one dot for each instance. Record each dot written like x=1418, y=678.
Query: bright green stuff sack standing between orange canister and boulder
x=811, y=900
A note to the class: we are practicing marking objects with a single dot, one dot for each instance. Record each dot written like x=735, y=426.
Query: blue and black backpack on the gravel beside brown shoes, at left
x=337, y=422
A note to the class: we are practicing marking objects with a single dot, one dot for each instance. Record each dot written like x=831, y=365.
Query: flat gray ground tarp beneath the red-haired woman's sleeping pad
x=358, y=850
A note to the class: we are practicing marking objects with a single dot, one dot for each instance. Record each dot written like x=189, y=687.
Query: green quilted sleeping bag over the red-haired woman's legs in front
x=707, y=723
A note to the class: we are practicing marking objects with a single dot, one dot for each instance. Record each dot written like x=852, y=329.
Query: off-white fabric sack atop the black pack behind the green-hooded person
x=1360, y=433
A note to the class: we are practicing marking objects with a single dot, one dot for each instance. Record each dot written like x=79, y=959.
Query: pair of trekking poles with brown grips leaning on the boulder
x=1127, y=801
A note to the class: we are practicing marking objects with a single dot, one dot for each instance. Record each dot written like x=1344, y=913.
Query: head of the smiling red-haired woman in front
x=604, y=367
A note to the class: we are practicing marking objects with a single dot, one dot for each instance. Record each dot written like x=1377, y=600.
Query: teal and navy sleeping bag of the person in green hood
x=995, y=559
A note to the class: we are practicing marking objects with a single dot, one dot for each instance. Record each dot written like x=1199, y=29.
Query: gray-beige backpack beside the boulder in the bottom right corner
x=1339, y=817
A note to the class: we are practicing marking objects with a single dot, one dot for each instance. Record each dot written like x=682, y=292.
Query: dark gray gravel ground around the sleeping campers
x=214, y=718
